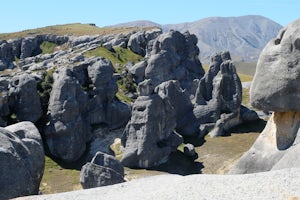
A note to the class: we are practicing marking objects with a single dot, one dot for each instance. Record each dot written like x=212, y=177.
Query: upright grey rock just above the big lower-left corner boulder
x=24, y=98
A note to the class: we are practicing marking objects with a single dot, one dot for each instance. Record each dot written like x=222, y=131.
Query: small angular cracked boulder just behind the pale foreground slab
x=103, y=170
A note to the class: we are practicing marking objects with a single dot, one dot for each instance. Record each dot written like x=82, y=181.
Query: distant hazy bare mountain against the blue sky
x=243, y=36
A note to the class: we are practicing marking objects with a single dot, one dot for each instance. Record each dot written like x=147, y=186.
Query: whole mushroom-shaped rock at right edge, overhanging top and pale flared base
x=274, y=88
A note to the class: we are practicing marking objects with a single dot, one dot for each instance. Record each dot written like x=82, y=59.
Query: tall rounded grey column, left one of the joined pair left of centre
x=67, y=131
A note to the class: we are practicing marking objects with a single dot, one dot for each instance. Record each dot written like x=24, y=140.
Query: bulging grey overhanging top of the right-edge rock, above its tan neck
x=278, y=63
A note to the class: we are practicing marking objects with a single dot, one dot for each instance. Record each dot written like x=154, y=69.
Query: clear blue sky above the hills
x=17, y=15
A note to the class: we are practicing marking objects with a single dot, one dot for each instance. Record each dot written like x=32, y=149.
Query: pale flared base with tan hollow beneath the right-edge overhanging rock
x=275, y=148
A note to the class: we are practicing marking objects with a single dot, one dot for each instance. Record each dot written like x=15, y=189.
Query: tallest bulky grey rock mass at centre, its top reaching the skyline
x=174, y=56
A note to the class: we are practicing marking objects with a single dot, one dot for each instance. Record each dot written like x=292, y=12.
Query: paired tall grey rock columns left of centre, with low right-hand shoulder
x=82, y=96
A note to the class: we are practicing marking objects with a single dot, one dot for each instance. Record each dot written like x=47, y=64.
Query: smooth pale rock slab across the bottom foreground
x=281, y=184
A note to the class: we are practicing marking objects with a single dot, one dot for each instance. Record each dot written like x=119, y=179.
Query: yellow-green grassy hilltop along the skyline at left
x=76, y=29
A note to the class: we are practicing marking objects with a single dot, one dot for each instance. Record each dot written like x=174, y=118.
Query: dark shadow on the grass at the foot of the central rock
x=180, y=164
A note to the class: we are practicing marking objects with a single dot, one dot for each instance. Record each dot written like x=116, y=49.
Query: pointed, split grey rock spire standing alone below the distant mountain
x=218, y=96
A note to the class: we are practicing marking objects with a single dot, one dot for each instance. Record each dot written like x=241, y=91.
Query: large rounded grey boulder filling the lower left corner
x=22, y=160
